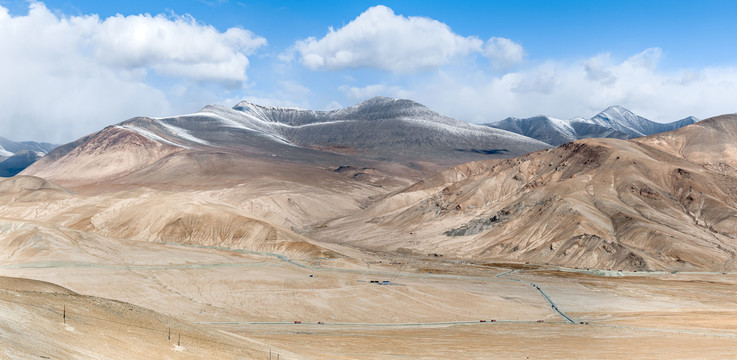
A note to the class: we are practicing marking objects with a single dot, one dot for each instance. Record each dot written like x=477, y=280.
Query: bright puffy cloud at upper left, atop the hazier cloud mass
x=174, y=46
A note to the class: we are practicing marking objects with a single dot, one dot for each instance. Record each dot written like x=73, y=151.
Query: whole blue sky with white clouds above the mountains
x=69, y=68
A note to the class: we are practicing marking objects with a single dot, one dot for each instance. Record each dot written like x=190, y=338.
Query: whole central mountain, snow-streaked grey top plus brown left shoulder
x=390, y=131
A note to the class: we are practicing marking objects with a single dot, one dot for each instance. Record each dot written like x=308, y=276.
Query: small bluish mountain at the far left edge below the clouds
x=16, y=156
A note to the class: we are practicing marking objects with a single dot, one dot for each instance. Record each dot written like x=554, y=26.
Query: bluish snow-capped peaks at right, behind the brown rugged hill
x=614, y=122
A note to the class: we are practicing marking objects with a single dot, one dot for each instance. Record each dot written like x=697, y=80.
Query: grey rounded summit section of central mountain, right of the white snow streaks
x=381, y=128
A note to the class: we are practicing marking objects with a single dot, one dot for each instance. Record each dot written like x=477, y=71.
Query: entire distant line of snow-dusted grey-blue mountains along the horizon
x=381, y=129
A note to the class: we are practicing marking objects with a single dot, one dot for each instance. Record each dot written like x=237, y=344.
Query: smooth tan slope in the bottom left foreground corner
x=41, y=320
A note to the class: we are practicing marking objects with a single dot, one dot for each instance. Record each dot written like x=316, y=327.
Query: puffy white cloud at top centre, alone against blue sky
x=380, y=39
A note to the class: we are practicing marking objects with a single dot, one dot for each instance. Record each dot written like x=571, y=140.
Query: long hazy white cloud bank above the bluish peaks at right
x=583, y=88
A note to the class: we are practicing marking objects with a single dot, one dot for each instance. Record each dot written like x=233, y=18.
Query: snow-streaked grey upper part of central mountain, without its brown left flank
x=380, y=128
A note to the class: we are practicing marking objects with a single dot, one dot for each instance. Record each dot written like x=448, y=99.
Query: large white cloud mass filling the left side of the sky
x=63, y=77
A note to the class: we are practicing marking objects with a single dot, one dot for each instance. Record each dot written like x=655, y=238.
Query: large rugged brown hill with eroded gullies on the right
x=667, y=201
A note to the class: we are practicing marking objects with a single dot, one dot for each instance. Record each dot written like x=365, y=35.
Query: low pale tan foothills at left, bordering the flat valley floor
x=198, y=219
